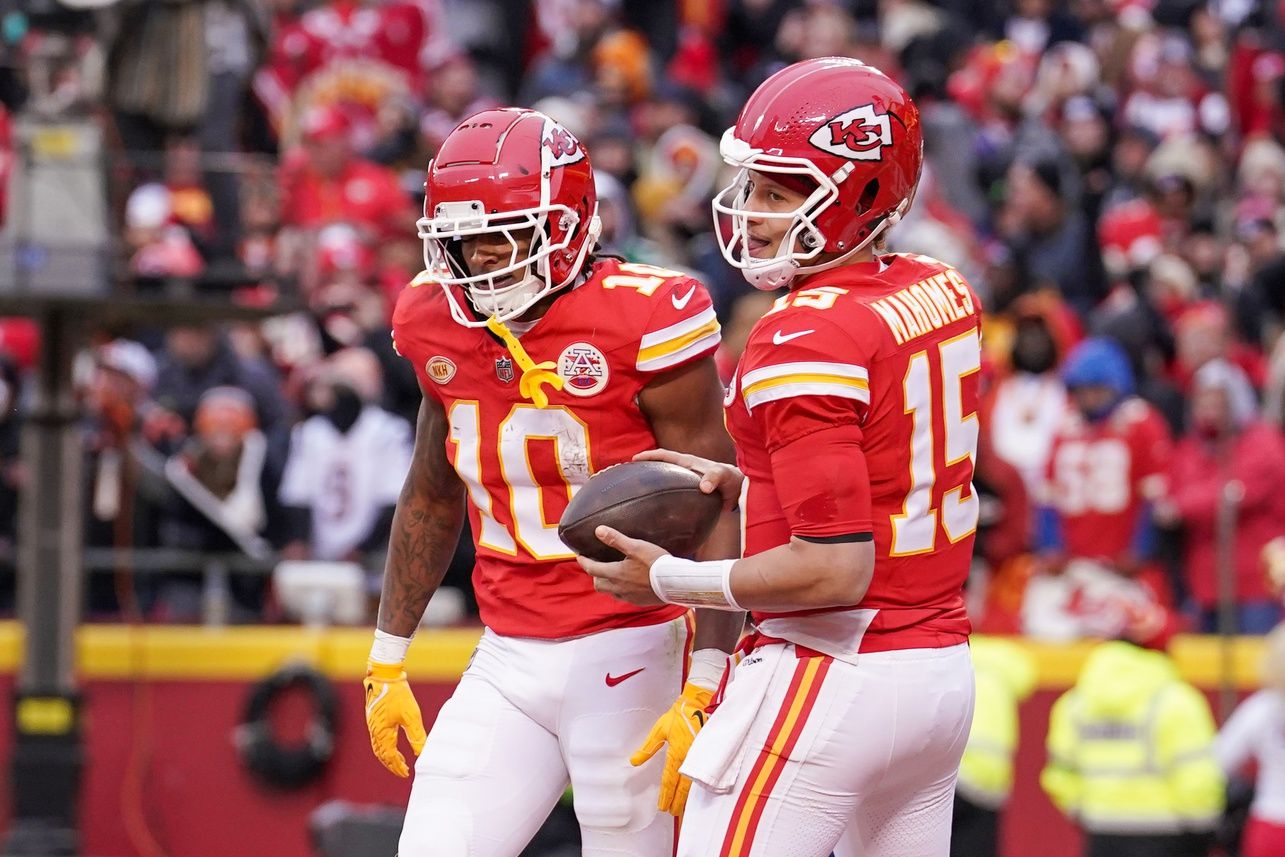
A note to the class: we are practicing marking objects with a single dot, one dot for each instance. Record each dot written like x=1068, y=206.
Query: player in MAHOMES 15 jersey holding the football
x=854, y=411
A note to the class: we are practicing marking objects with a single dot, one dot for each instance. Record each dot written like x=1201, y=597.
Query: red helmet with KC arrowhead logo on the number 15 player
x=841, y=125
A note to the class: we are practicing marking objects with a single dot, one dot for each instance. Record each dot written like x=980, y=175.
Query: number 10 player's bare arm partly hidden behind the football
x=686, y=412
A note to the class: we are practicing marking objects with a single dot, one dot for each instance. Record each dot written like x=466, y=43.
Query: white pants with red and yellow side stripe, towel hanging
x=813, y=756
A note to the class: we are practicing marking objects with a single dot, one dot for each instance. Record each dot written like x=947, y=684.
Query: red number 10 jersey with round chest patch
x=610, y=337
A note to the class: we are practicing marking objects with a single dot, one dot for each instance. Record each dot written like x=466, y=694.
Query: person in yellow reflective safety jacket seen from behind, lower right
x=1131, y=750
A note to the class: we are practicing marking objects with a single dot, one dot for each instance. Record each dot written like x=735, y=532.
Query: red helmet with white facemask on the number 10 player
x=508, y=172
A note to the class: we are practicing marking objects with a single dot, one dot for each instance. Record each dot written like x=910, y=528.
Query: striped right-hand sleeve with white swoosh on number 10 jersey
x=680, y=328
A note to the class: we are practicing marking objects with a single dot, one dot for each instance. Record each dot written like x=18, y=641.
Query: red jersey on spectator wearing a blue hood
x=1101, y=473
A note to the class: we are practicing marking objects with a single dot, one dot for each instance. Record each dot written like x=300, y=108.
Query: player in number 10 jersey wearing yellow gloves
x=540, y=366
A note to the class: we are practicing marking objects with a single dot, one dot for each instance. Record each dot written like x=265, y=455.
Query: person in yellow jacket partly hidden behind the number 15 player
x=1006, y=675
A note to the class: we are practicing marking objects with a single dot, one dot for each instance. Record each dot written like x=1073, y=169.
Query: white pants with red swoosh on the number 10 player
x=527, y=718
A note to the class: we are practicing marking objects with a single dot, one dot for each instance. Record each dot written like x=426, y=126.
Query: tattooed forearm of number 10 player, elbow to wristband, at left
x=425, y=535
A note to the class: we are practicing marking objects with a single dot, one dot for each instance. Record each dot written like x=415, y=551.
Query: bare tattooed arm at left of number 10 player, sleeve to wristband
x=426, y=526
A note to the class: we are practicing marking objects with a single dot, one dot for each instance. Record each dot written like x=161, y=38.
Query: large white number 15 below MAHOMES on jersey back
x=932, y=499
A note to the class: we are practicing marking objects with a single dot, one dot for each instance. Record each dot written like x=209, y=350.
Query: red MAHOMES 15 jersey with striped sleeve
x=871, y=367
